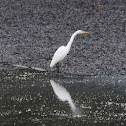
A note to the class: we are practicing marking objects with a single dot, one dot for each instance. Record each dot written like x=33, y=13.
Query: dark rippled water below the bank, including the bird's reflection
x=32, y=98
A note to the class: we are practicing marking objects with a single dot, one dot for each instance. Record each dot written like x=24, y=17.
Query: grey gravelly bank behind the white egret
x=31, y=31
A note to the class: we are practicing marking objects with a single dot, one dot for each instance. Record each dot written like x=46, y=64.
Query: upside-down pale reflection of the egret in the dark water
x=64, y=95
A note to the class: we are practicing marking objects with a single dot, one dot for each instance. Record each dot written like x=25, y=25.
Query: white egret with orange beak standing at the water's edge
x=62, y=51
